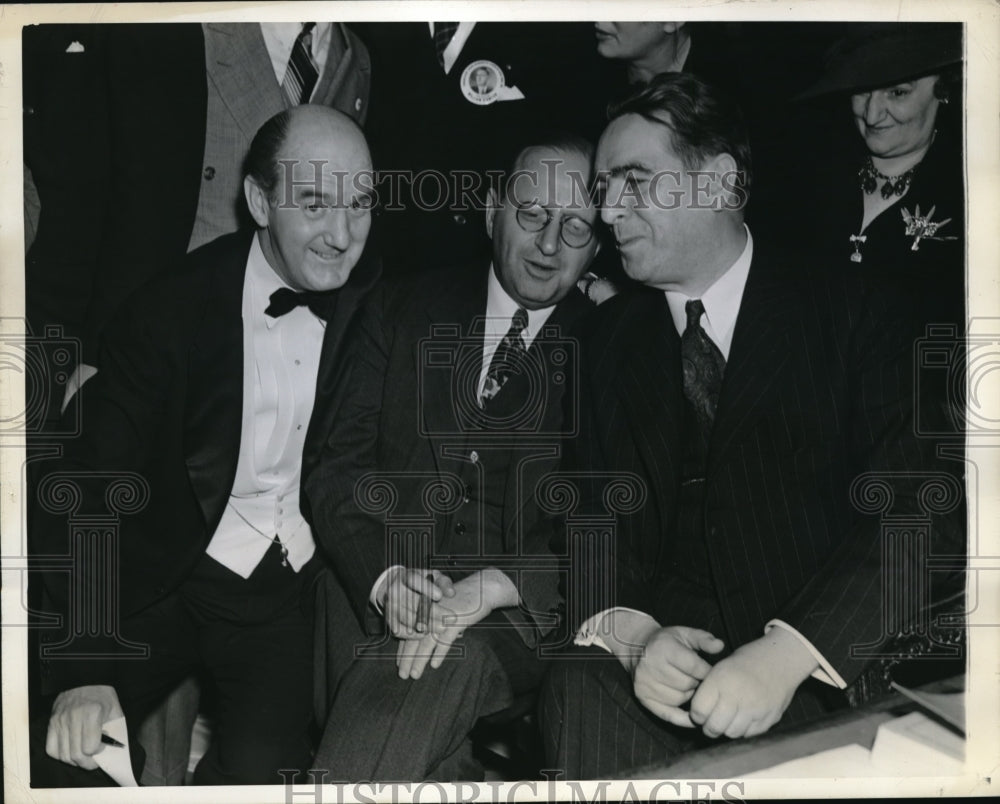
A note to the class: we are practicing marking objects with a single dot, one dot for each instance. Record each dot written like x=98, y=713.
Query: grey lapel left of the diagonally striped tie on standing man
x=240, y=68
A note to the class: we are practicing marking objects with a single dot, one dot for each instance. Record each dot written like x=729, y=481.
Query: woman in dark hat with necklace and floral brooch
x=897, y=208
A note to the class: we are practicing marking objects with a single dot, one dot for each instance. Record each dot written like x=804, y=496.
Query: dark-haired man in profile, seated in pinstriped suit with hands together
x=752, y=399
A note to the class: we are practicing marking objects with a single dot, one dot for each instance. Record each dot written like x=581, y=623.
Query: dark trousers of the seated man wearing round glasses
x=385, y=728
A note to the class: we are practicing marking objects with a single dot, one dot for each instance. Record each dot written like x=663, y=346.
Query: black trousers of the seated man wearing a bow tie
x=253, y=640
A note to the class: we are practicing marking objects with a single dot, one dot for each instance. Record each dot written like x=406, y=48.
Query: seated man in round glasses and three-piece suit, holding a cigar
x=452, y=416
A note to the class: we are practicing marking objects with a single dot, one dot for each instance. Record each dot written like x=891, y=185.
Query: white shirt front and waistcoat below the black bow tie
x=280, y=364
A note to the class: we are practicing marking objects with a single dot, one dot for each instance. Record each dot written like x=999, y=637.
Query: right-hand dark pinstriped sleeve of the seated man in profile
x=846, y=607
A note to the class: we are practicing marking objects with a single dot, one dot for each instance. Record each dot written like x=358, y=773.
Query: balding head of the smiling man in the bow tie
x=309, y=188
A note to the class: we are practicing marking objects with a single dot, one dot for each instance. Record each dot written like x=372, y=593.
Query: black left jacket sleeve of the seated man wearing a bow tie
x=122, y=408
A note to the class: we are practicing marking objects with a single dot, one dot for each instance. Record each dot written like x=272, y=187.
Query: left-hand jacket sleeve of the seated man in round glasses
x=352, y=537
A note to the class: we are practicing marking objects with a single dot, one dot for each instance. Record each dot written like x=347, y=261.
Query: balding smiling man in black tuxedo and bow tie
x=198, y=418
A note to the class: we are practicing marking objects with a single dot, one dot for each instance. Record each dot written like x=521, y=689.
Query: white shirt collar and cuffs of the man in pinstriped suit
x=722, y=306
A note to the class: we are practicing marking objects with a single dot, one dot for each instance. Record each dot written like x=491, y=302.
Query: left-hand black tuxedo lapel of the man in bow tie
x=214, y=407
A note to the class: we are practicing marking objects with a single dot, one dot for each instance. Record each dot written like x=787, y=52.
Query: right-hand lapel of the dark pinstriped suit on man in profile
x=759, y=351
